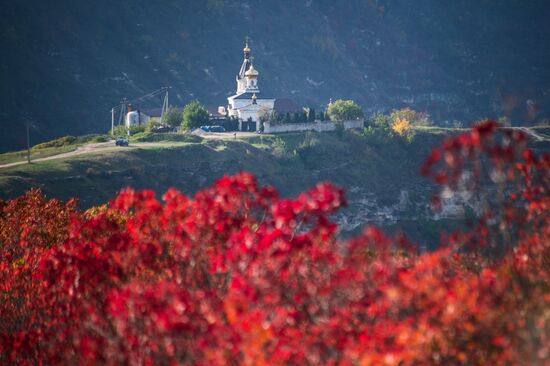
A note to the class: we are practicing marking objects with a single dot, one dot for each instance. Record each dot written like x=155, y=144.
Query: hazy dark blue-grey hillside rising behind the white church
x=65, y=63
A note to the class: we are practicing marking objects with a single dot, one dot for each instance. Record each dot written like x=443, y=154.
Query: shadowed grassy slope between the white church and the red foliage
x=380, y=175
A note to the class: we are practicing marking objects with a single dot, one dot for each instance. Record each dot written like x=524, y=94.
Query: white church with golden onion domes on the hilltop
x=248, y=104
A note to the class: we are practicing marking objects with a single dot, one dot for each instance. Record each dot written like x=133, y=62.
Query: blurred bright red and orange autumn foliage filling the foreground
x=238, y=275
